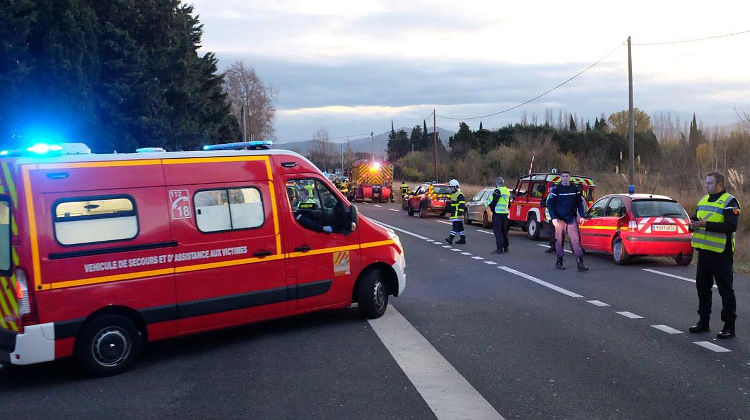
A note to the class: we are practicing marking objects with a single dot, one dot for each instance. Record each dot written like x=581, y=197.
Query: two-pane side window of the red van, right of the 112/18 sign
x=228, y=209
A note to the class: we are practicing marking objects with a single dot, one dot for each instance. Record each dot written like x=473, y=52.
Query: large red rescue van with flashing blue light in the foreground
x=100, y=253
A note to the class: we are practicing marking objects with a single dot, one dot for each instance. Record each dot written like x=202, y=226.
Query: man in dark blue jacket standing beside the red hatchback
x=564, y=201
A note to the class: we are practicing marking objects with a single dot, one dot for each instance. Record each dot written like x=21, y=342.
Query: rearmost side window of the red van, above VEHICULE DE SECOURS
x=88, y=220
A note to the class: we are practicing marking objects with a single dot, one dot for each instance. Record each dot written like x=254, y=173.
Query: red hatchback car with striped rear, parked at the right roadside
x=625, y=225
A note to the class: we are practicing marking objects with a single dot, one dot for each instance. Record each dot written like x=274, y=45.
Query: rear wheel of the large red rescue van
x=108, y=345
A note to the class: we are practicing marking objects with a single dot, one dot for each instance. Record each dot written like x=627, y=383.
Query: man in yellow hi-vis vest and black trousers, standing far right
x=713, y=236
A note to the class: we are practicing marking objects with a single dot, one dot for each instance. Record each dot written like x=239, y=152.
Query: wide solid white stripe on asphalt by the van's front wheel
x=448, y=394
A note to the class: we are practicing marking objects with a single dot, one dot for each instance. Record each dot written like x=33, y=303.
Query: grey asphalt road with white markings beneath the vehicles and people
x=508, y=333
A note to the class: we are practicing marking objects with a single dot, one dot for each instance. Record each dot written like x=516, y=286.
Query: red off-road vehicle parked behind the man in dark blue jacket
x=529, y=198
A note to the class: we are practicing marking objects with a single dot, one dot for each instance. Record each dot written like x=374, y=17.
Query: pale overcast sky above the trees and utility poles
x=353, y=66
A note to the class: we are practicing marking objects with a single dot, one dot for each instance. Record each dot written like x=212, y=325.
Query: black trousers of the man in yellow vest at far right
x=715, y=266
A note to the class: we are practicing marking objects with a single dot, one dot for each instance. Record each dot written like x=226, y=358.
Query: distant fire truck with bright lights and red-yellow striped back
x=371, y=180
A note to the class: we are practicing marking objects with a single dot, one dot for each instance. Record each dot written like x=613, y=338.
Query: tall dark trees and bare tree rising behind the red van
x=117, y=75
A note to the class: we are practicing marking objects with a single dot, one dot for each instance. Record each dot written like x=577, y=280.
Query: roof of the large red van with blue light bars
x=151, y=155
